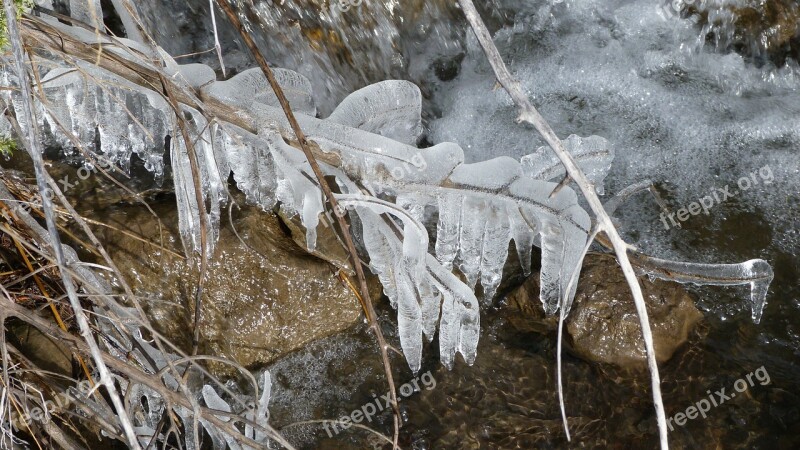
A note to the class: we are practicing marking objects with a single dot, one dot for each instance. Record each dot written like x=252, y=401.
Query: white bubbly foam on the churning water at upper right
x=675, y=111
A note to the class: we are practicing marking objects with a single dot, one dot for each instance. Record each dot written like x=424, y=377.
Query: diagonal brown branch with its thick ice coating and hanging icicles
x=367, y=144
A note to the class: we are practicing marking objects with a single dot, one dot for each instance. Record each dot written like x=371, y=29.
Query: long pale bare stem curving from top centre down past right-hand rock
x=530, y=115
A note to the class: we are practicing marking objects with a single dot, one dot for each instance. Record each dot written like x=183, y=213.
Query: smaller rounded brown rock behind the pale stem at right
x=603, y=325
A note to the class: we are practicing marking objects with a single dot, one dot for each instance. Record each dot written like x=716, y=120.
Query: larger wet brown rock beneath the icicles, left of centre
x=261, y=299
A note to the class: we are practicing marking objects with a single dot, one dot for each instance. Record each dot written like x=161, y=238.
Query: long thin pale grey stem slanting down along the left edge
x=34, y=147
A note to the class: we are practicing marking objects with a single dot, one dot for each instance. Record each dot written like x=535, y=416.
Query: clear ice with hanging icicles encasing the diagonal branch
x=481, y=207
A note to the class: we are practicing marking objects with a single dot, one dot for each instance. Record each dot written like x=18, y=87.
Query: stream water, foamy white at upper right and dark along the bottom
x=695, y=100
